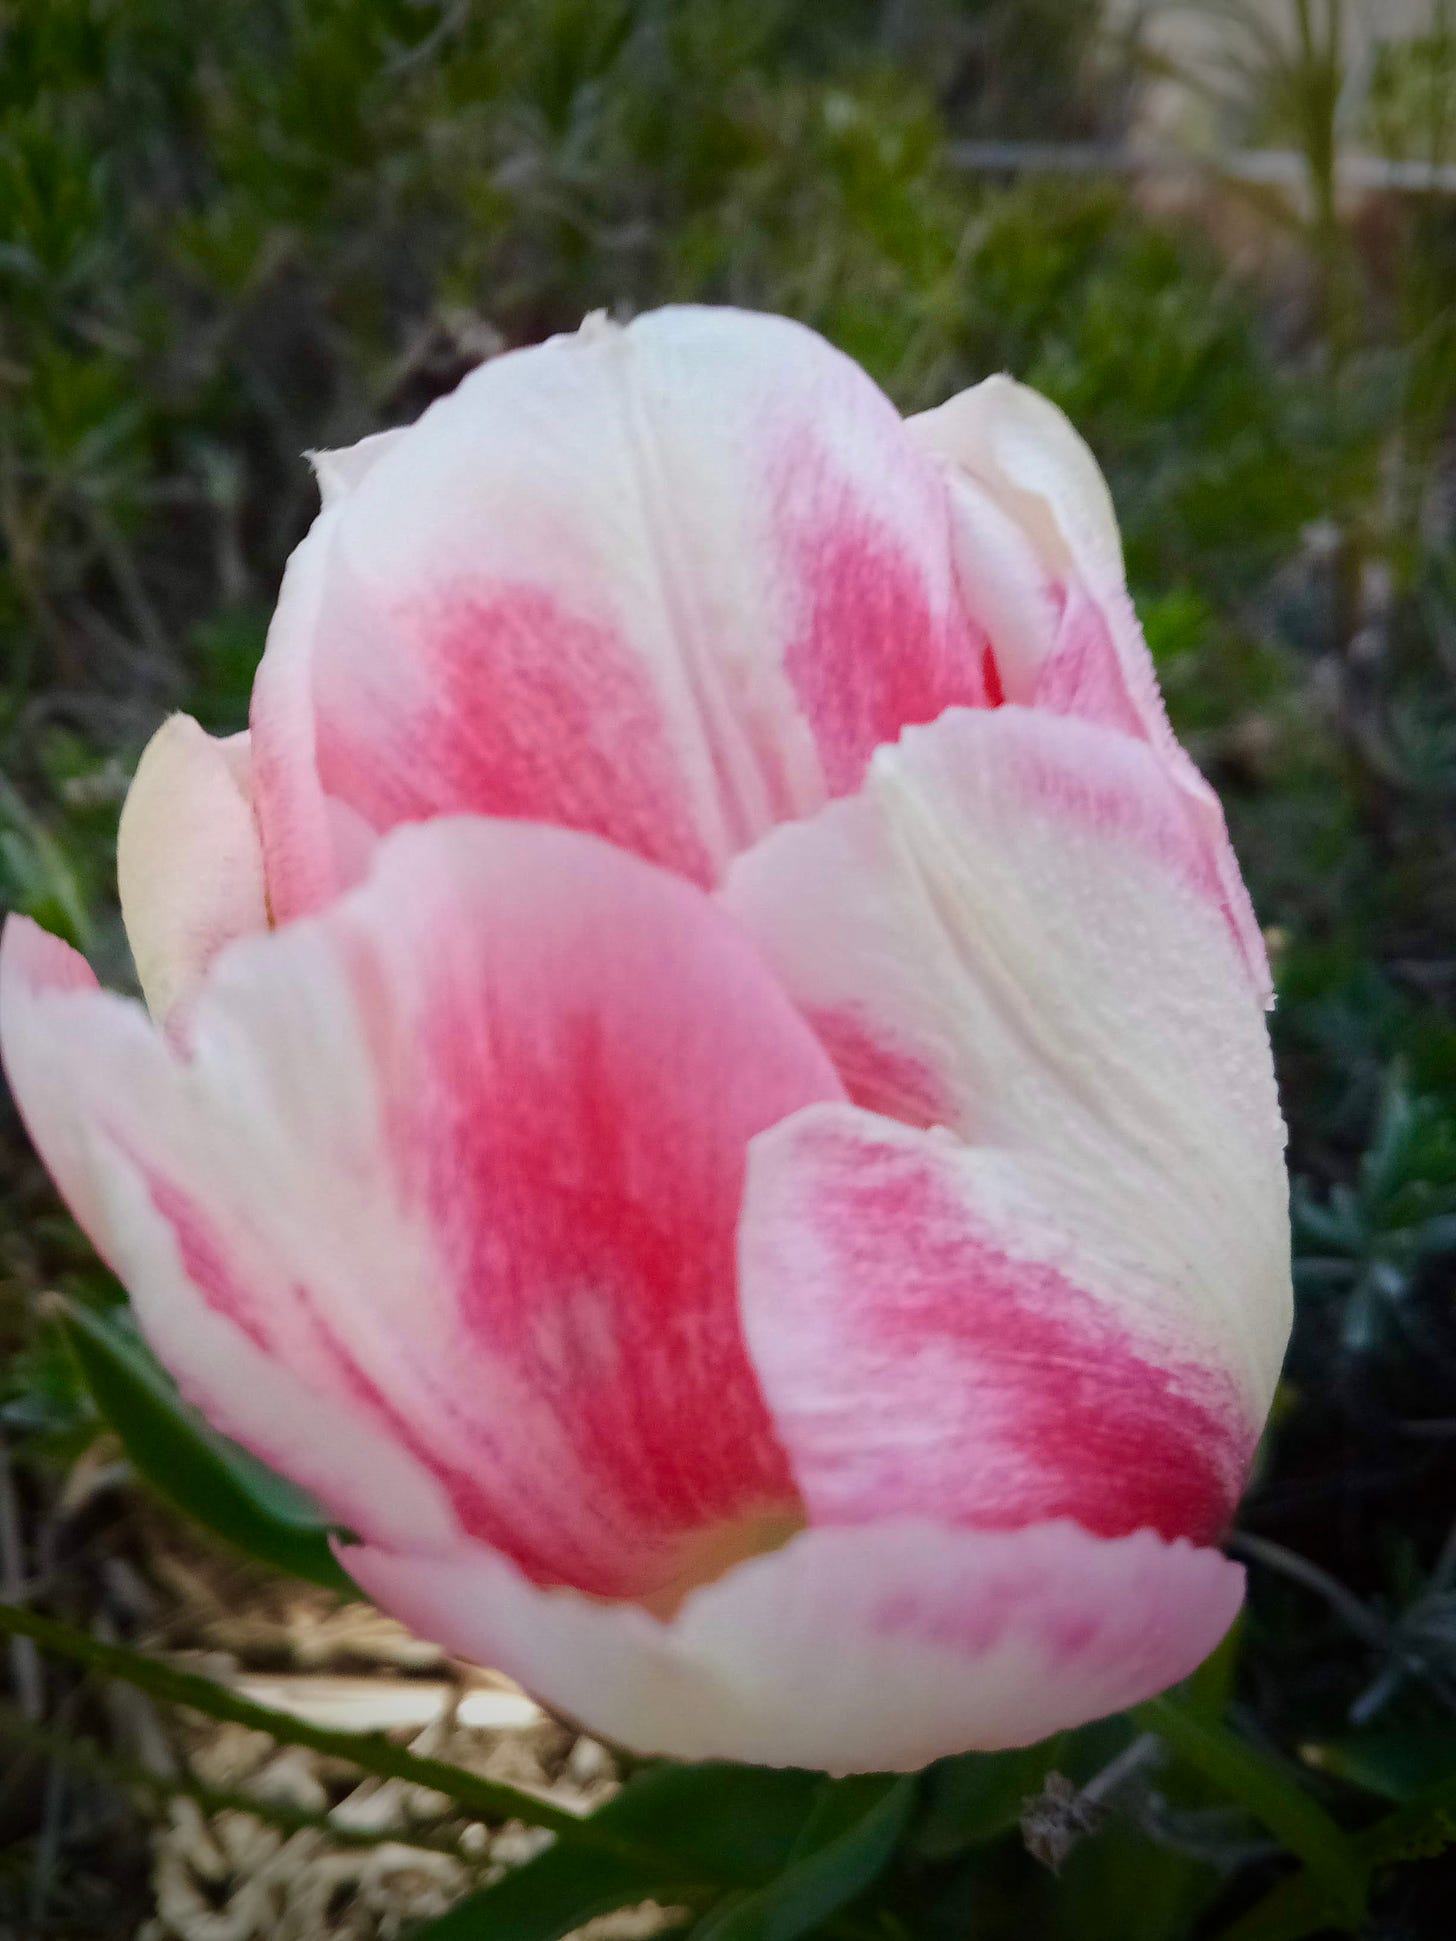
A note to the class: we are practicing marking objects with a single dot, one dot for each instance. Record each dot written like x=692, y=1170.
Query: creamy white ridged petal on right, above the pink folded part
x=1022, y=940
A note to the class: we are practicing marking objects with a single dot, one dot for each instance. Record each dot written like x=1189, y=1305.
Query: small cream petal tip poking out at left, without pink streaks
x=189, y=863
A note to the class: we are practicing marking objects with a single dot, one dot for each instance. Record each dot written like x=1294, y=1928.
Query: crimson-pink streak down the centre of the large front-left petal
x=605, y=1274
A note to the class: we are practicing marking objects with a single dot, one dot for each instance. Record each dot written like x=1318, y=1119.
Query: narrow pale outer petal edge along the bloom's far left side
x=88, y=1072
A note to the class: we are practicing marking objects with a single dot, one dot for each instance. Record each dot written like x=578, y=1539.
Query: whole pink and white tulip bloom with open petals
x=706, y=1084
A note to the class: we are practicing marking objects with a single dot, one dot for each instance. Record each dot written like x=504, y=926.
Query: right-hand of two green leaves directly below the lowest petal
x=845, y=1847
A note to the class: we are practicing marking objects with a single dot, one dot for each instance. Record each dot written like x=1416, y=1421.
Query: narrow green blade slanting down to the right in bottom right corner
x=1271, y=1794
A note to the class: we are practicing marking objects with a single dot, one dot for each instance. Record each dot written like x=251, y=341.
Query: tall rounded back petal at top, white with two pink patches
x=669, y=583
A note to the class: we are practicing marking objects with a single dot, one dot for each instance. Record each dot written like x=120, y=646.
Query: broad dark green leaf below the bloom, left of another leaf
x=710, y=1827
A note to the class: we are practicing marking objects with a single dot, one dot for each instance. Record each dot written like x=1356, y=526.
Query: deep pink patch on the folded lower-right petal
x=1051, y=1410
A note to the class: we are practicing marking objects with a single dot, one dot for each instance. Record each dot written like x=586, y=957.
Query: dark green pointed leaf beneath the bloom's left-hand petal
x=191, y=1464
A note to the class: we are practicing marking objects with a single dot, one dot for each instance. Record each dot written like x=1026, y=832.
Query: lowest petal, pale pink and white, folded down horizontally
x=851, y=1651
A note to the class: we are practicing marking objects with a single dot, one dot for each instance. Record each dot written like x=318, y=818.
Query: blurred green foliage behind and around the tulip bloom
x=232, y=234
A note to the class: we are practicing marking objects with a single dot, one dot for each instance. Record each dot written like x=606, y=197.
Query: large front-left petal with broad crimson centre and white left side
x=465, y=1162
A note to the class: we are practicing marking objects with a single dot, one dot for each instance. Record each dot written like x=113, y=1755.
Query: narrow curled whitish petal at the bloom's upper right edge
x=1042, y=572
